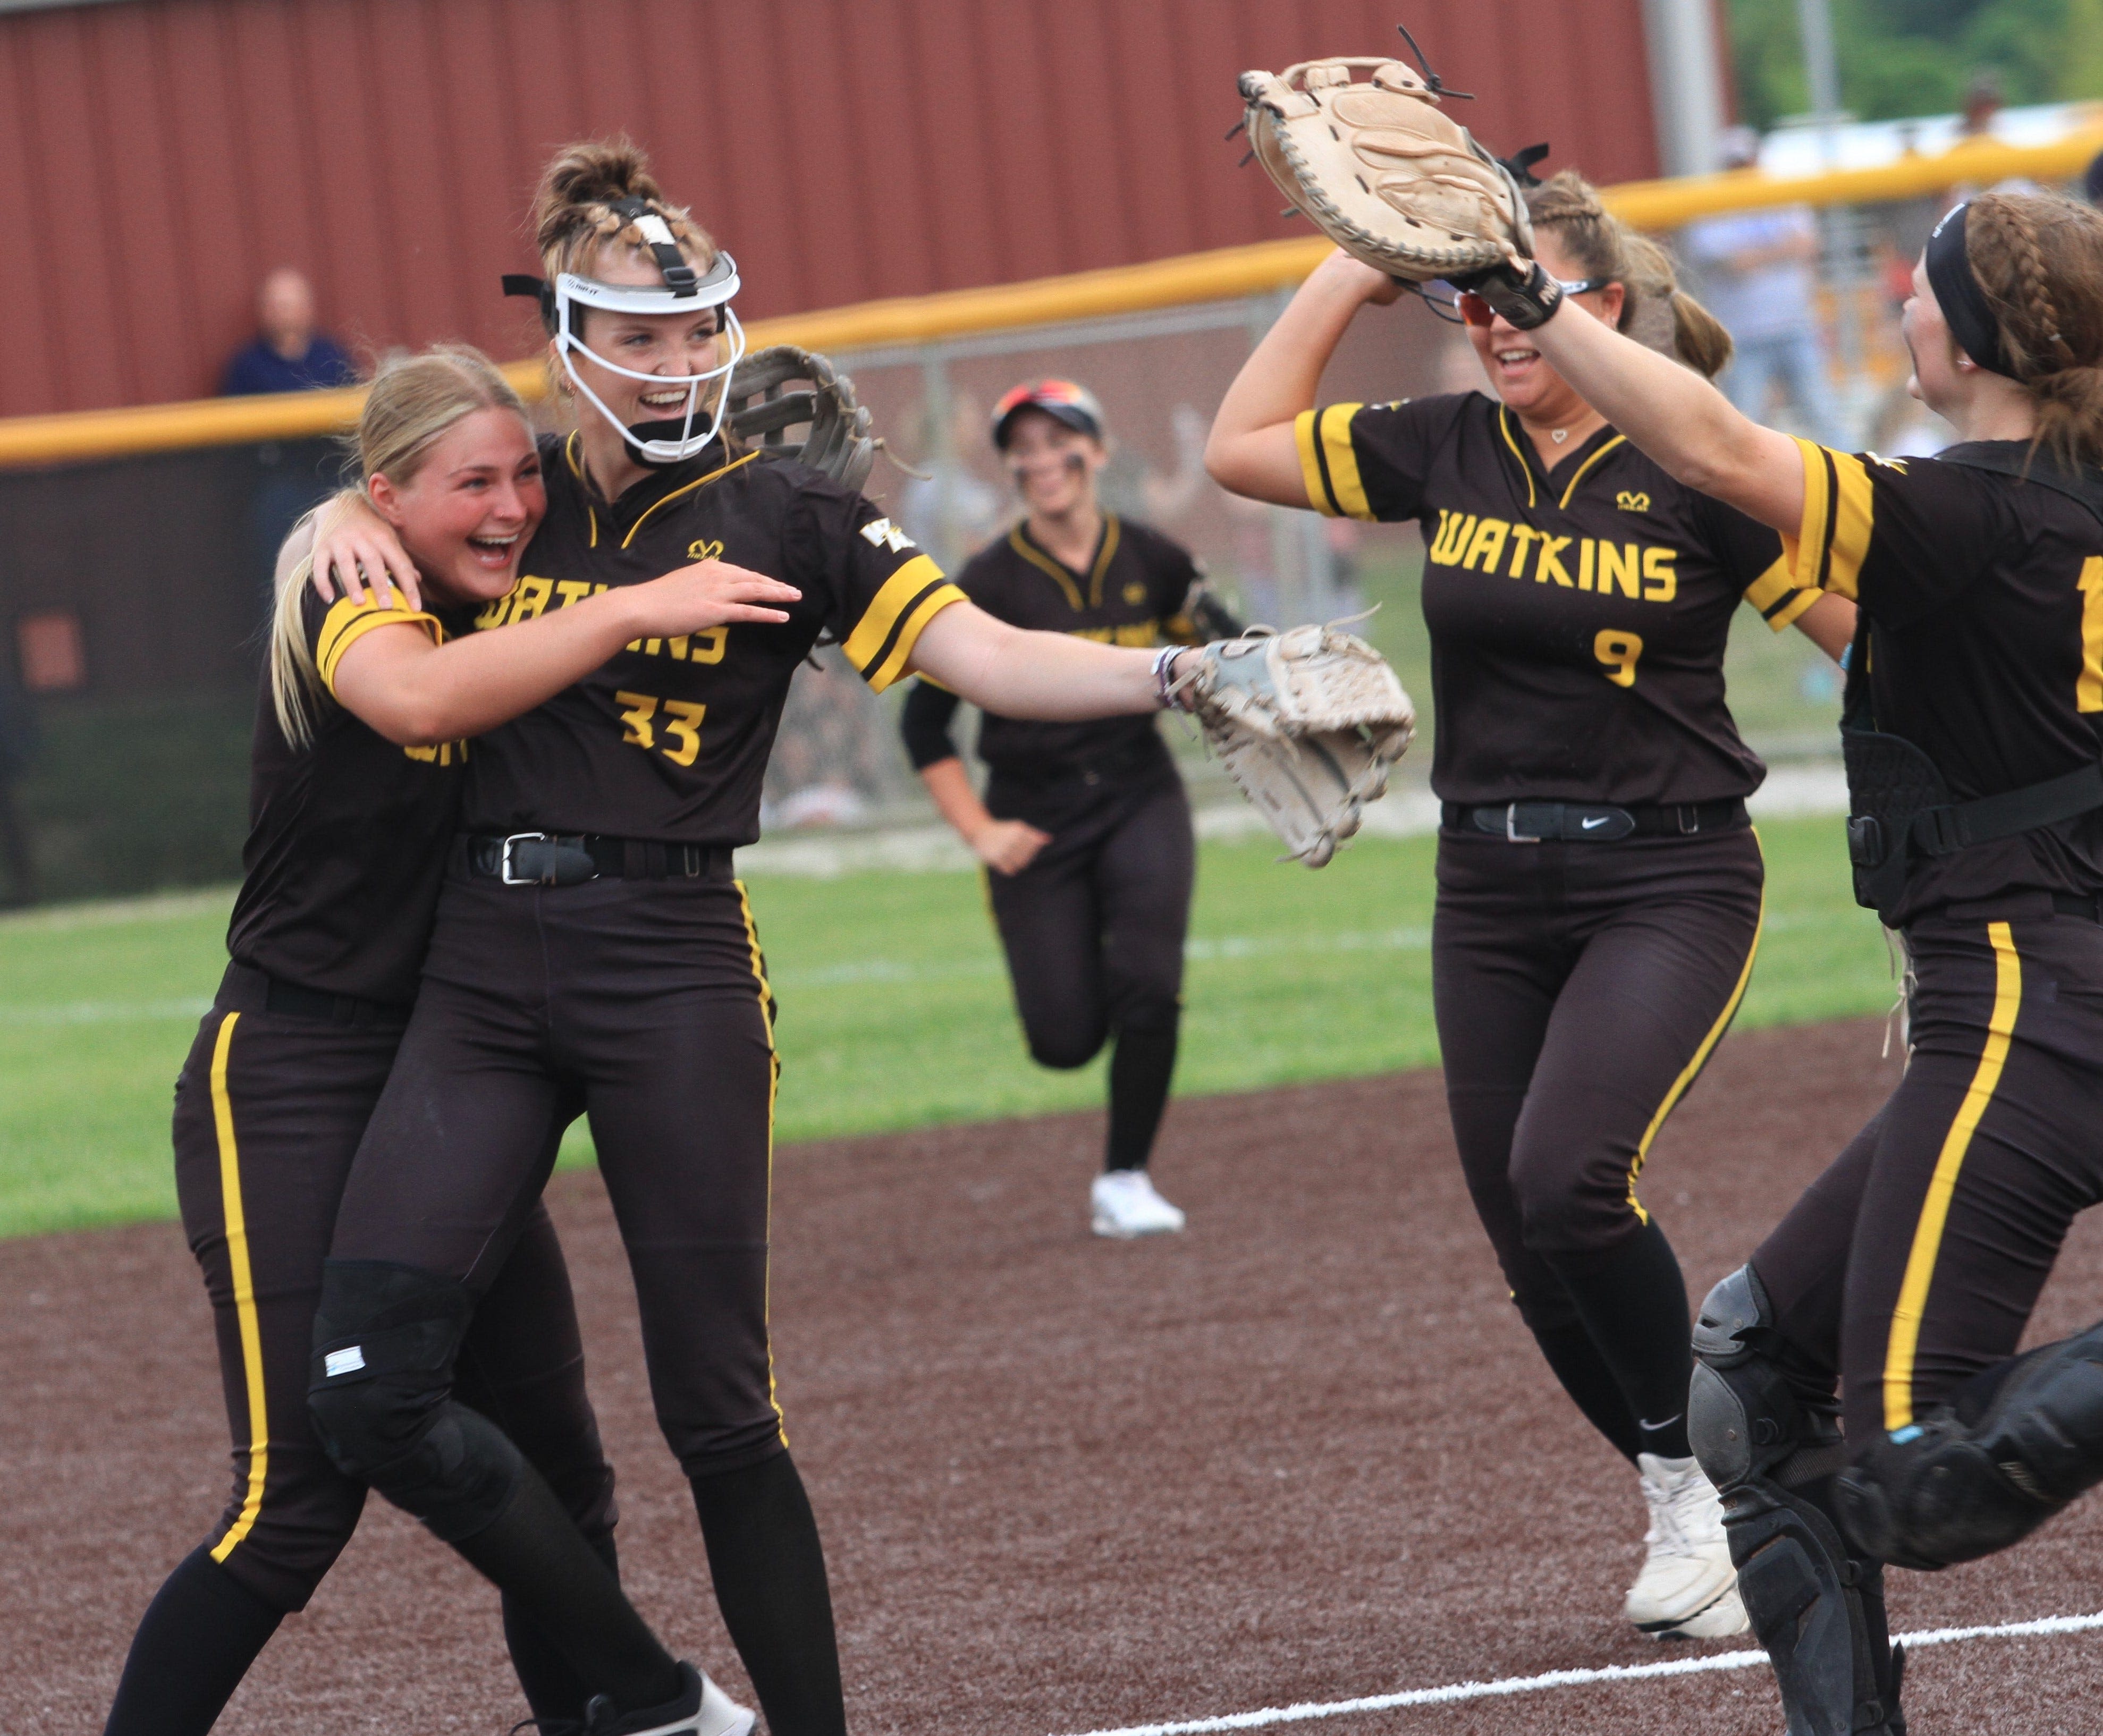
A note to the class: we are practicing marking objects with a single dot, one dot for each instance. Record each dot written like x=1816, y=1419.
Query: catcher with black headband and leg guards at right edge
x=1911, y=1268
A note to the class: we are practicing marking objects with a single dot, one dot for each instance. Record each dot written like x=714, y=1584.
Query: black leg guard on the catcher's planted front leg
x=1770, y=1451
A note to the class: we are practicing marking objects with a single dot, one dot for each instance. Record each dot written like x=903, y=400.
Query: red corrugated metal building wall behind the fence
x=159, y=157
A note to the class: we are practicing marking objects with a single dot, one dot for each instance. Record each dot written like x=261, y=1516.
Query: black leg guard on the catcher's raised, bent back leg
x=1953, y=1487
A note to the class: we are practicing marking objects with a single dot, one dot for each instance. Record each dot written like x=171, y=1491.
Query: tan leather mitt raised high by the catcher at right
x=1383, y=171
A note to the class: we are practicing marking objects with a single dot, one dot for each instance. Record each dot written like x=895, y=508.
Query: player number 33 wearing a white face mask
x=594, y=953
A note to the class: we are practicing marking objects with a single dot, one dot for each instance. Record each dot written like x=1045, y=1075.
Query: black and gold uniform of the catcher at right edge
x=1913, y=1266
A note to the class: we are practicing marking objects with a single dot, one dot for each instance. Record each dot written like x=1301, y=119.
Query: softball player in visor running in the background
x=1086, y=827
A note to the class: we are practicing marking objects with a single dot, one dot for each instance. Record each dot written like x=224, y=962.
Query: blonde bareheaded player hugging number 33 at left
x=329, y=932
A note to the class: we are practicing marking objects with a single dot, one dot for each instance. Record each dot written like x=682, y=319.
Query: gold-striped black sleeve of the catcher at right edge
x=1898, y=535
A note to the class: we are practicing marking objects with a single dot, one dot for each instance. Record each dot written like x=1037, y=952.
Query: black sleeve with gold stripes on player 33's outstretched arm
x=880, y=590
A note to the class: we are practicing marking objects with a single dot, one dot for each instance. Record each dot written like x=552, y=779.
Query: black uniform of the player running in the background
x=1095, y=928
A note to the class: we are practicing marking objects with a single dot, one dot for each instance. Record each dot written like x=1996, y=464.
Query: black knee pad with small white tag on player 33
x=386, y=1340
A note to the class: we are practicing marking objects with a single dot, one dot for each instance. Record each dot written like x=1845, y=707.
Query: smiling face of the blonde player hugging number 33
x=470, y=510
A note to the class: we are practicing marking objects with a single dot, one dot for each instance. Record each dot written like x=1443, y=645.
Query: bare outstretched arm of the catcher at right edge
x=1679, y=419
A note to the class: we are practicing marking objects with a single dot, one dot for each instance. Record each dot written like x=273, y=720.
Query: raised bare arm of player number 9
x=1252, y=447
